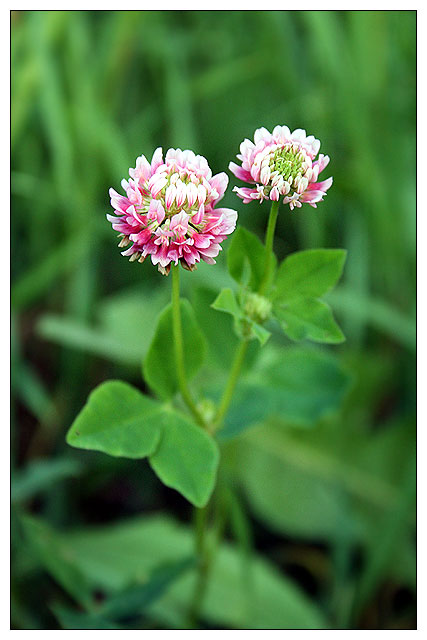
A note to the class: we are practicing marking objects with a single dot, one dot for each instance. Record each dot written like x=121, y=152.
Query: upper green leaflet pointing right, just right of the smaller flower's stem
x=309, y=274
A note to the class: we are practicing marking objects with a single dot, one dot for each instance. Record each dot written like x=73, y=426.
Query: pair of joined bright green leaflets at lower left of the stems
x=121, y=421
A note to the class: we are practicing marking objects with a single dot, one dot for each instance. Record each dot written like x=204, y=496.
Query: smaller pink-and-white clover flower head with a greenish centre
x=281, y=164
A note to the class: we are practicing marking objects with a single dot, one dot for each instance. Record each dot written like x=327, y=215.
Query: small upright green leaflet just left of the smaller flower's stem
x=246, y=258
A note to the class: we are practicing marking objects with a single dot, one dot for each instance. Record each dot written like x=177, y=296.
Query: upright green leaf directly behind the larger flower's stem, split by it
x=159, y=367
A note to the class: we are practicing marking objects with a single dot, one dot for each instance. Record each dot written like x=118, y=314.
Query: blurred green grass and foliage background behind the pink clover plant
x=328, y=512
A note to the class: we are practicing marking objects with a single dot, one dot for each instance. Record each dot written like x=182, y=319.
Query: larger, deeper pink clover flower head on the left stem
x=169, y=211
